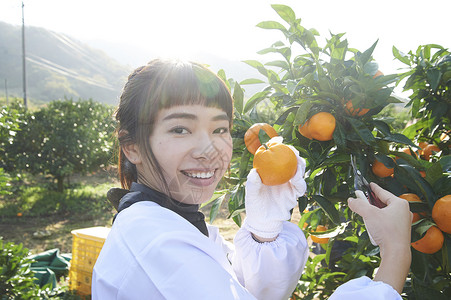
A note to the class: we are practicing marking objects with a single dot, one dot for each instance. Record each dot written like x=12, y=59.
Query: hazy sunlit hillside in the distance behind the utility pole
x=58, y=66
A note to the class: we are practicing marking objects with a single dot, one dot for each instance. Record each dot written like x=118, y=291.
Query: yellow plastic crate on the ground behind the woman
x=86, y=246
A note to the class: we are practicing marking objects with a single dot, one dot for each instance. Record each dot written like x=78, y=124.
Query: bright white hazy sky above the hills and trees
x=181, y=28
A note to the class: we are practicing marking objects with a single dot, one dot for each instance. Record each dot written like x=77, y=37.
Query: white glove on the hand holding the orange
x=268, y=206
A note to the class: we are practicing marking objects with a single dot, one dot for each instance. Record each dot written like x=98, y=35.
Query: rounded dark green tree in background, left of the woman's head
x=61, y=139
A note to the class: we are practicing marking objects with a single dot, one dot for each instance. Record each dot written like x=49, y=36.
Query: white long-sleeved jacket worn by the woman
x=153, y=253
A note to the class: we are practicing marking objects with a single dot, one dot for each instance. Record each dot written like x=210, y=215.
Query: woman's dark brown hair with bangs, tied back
x=162, y=84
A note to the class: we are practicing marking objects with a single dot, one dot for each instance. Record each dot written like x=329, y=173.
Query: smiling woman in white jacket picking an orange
x=174, y=120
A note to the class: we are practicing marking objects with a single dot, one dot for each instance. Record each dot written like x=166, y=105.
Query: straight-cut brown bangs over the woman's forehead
x=187, y=83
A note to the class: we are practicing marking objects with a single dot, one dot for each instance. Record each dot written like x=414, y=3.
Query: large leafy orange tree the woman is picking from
x=309, y=79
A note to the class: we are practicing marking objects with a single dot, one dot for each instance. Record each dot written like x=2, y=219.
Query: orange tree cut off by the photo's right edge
x=428, y=77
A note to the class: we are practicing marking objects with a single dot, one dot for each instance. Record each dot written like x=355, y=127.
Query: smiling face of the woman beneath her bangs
x=193, y=145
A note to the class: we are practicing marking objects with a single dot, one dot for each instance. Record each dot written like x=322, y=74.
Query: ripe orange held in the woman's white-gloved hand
x=275, y=162
